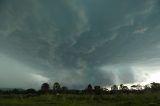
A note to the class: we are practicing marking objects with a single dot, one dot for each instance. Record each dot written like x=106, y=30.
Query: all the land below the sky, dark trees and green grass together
x=91, y=96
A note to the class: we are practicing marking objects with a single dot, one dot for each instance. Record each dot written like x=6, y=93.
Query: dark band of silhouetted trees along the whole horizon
x=58, y=89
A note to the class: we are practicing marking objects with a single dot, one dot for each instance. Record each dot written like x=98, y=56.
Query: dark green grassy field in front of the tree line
x=147, y=99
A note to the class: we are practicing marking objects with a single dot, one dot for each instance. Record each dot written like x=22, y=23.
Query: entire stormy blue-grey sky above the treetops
x=77, y=42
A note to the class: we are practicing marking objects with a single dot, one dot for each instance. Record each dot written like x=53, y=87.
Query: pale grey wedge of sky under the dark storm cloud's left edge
x=16, y=75
